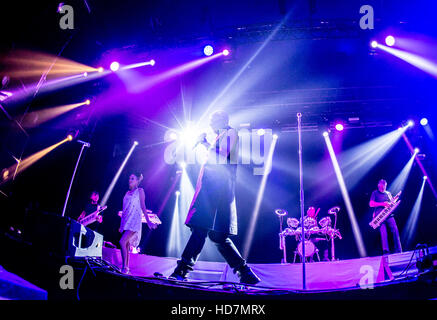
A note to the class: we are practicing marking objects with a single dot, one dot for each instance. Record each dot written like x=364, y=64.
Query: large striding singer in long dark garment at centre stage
x=213, y=210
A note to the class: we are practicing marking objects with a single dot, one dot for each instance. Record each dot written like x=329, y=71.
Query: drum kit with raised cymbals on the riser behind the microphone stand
x=313, y=232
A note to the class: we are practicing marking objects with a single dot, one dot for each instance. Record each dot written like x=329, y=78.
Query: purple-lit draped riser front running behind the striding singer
x=320, y=276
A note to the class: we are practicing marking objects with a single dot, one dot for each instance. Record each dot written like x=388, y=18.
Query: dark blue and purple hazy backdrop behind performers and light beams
x=319, y=63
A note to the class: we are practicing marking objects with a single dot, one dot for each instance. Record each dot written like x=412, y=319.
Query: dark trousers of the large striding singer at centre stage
x=224, y=244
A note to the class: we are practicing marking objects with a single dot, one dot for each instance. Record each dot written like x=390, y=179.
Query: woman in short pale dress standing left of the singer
x=130, y=227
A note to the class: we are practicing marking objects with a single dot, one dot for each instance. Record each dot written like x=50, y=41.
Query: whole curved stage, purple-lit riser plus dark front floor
x=100, y=279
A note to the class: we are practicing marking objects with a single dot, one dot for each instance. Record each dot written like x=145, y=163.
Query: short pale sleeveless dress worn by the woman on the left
x=132, y=216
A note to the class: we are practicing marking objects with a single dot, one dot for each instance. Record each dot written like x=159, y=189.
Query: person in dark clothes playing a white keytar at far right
x=379, y=200
